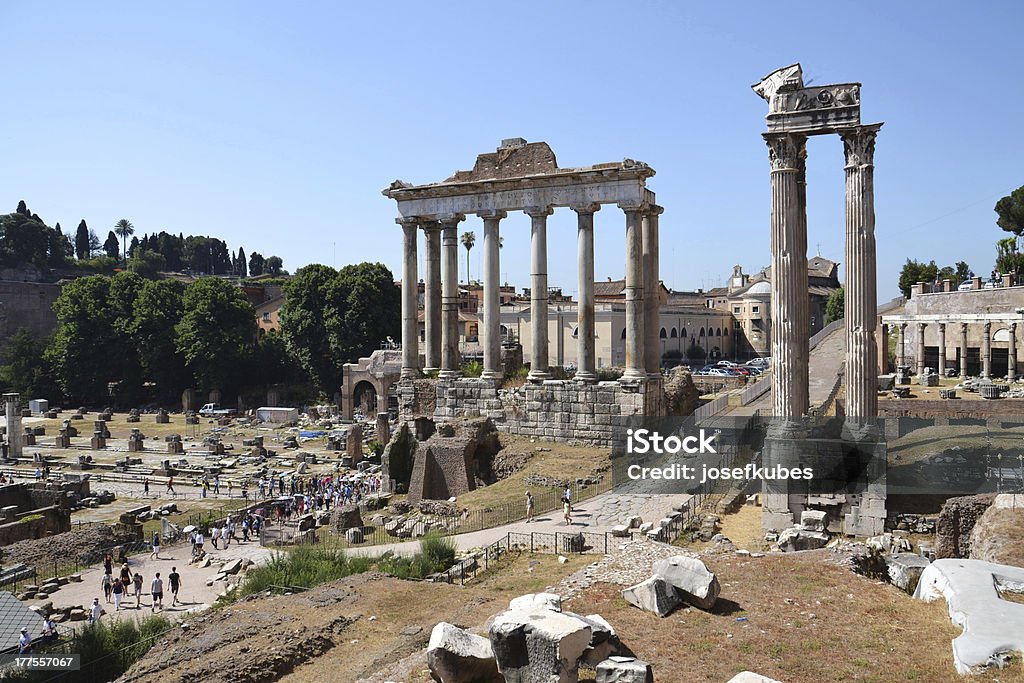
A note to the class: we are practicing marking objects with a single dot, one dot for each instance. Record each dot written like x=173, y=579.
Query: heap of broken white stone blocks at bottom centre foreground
x=533, y=642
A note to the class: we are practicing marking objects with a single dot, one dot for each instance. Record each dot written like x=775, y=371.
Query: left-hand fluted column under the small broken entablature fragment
x=790, y=334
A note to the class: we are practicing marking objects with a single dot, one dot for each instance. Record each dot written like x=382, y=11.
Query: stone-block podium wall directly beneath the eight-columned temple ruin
x=557, y=410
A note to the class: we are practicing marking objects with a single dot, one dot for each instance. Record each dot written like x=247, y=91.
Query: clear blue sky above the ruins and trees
x=275, y=126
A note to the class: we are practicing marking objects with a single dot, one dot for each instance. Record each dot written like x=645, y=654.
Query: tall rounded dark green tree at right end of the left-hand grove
x=217, y=329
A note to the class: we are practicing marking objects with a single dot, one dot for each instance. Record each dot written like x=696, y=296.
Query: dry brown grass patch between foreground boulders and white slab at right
x=806, y=621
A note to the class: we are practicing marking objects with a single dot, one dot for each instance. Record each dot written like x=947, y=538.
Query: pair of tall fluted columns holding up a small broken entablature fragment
x=790, y=302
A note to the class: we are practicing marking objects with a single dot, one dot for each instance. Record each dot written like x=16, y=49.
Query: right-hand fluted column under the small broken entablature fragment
x=862, y=312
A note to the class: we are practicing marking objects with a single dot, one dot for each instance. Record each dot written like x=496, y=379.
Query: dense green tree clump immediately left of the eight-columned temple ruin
x=332, y=318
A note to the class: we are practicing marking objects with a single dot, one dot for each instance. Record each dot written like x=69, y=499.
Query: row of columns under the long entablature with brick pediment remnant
x=442, y=293
